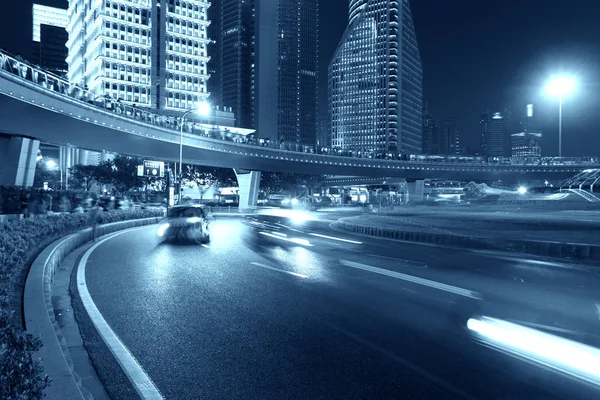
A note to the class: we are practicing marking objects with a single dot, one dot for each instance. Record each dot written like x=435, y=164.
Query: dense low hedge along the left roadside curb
x=21, y=376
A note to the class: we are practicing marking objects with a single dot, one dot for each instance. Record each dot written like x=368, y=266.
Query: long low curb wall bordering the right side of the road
x=578, y=251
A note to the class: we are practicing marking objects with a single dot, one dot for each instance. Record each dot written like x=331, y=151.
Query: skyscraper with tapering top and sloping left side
x=375, y=81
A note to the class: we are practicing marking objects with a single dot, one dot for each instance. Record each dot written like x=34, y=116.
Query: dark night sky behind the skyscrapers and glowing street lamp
x=476, y=54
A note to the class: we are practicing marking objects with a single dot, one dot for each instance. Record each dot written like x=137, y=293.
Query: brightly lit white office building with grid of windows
x=151, y=53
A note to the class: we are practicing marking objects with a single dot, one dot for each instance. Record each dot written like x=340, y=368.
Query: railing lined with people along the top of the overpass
x=50, y=82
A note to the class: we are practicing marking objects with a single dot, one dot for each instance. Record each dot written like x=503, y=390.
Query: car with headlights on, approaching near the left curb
x=185, y=223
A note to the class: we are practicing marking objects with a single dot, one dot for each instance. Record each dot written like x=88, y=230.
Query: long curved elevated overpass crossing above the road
x=39, y=106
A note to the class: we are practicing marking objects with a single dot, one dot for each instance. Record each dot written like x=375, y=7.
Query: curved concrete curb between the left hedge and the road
x=39, y=314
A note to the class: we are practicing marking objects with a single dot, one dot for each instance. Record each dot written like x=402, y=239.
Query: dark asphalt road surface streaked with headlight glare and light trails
x=322, y=314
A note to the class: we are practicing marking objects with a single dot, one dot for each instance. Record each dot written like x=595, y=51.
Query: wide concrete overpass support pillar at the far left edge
x=18, y=160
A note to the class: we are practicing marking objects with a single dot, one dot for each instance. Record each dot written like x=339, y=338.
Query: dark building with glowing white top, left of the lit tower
x=50, y=38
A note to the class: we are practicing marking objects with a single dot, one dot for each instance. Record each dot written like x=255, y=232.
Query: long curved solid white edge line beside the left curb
x=144, y=386
